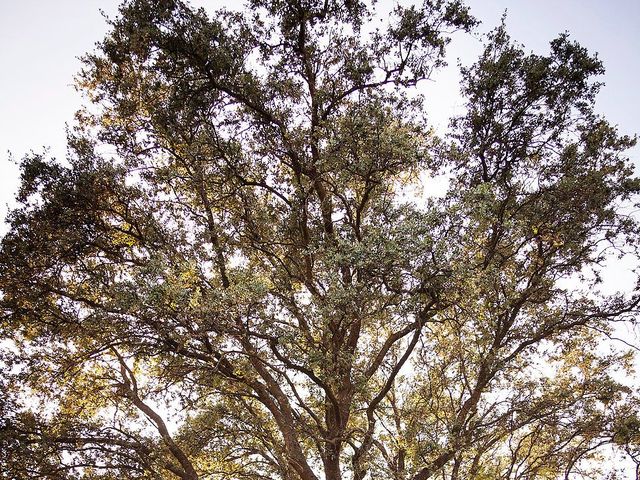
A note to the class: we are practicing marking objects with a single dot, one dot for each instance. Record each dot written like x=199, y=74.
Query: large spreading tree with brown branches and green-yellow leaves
x=229, y=278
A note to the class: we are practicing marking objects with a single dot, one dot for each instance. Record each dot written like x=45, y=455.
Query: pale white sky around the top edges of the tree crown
x=40, y=41
